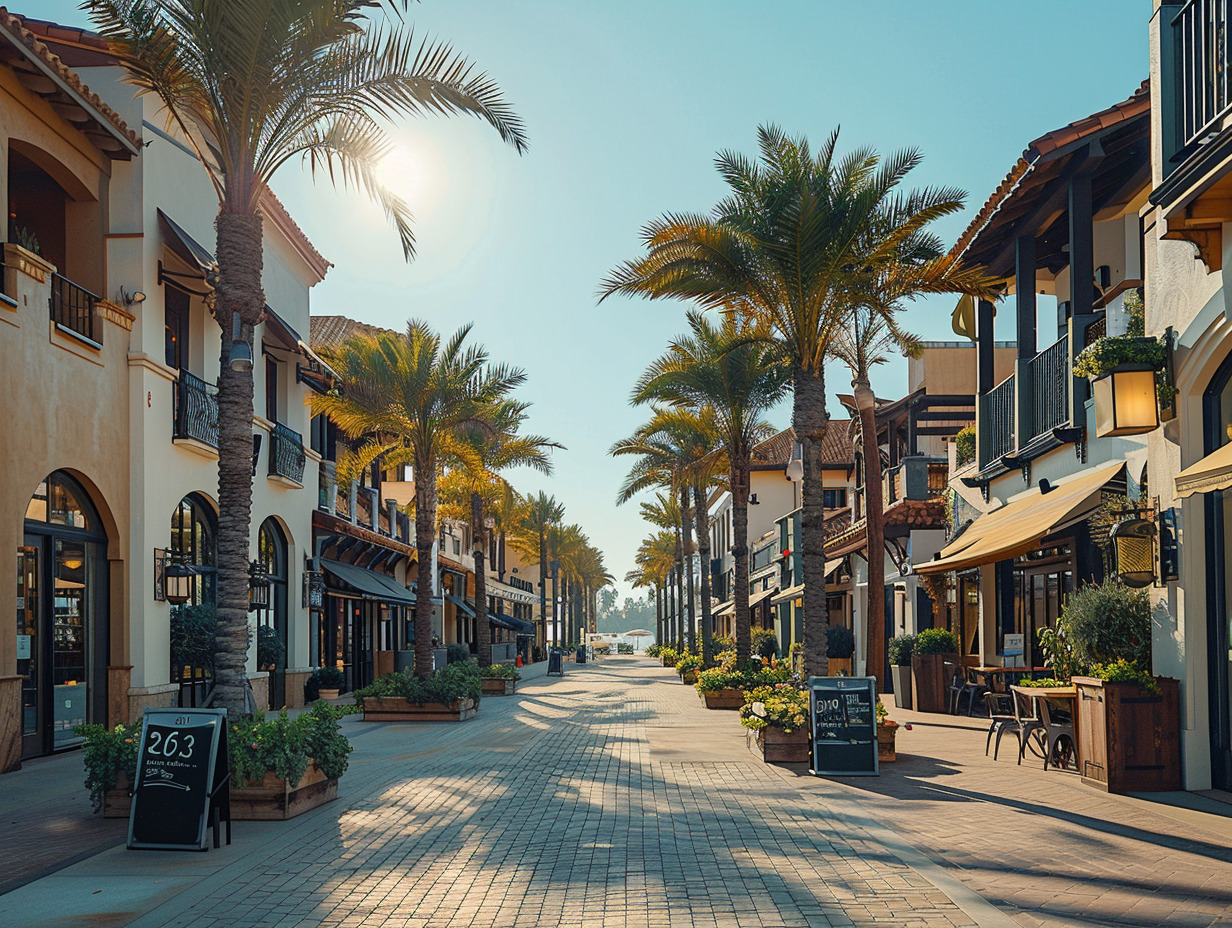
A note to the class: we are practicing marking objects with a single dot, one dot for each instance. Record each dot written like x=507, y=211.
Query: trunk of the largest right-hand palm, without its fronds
x=811, y=422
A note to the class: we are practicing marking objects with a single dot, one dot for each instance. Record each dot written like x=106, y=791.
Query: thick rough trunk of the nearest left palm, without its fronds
x=240, y=293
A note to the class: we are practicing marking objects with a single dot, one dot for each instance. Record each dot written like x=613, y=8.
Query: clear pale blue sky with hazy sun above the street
x=626, y=107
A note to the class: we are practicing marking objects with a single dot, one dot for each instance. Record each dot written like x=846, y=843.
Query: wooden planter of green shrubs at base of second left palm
x=449, y=696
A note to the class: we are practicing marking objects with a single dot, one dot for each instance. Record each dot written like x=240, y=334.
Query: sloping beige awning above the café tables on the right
x=1021, y=526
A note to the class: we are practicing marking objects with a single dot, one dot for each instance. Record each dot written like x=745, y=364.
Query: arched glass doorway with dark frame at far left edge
x=62, y=616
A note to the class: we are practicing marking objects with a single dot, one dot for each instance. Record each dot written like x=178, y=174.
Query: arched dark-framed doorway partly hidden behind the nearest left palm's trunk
x=194, y=540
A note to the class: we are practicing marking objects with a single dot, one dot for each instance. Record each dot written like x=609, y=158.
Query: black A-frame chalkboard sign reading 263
x=182, y=781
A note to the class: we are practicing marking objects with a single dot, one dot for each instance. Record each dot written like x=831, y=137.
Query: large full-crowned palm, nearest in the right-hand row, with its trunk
x=790, y=247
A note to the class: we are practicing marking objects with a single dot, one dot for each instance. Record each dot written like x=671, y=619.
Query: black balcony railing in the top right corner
x=1202, y=30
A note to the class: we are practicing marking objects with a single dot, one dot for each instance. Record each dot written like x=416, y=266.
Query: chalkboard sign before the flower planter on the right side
x=845, y=718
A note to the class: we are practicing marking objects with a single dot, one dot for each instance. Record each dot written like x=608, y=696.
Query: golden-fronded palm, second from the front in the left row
x=418, y=400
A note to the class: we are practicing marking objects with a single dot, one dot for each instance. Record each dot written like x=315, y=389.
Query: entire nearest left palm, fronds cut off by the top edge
x=251, y=86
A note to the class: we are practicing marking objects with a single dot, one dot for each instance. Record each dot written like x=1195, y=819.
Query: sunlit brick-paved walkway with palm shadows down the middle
x=613, y=797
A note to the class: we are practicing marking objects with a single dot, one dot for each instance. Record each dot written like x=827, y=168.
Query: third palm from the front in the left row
x=493, y=448
